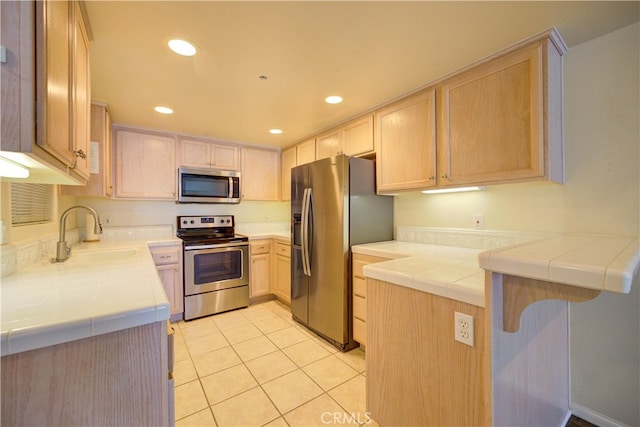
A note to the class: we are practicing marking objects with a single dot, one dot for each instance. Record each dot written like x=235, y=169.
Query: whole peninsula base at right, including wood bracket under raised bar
x=417, y=374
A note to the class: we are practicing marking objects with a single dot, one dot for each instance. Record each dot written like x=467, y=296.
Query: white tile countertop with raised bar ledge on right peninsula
x=607, y=263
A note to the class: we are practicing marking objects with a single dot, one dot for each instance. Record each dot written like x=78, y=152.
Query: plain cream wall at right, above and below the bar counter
x=601, y=195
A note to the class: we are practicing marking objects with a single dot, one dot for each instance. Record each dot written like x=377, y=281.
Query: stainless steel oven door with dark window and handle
x=210, y=268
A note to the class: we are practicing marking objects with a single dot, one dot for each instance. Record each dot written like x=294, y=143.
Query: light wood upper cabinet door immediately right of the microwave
x=260, y=174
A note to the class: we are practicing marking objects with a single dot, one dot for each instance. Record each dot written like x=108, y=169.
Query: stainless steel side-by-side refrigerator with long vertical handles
x=333, y=206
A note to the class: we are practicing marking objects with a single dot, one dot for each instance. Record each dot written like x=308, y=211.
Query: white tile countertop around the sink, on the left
x=103, y=287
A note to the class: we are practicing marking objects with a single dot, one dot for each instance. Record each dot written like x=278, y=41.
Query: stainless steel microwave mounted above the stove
x=208, y=186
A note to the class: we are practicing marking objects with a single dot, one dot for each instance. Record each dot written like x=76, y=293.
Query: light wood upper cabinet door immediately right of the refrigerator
x=405, y=137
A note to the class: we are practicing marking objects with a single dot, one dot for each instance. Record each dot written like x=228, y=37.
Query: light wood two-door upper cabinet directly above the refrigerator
x=354, y=138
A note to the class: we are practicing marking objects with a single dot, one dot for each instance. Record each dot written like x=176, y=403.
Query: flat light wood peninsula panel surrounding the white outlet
x=417, y=374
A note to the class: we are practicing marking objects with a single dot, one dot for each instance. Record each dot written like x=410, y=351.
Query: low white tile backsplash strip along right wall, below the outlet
x=464, y=238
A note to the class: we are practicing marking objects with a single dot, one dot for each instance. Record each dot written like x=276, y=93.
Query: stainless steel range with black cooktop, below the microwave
x=216, y=265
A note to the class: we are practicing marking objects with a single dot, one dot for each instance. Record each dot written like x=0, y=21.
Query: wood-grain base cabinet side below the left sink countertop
x=119, y=378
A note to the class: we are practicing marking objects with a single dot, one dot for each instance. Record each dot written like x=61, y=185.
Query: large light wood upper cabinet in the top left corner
x=47, y=62
